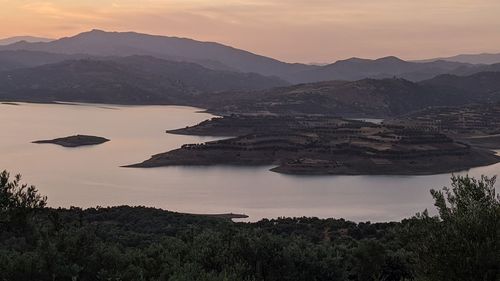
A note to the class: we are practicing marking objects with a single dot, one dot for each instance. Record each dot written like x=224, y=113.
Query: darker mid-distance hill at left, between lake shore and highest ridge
x=128, y=80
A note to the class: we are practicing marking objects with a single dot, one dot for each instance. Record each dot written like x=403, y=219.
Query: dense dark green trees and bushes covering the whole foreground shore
x=138, y=243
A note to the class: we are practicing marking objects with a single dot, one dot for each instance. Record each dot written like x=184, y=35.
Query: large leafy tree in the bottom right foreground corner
x=461, y=243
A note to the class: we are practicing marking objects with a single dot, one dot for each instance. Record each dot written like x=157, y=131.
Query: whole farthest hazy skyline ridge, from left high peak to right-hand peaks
x=220, y=57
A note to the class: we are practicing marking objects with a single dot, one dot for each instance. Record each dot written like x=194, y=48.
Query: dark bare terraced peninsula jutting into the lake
x=324, y=145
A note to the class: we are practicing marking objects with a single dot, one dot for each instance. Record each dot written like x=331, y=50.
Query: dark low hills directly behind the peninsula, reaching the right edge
x=366, y=97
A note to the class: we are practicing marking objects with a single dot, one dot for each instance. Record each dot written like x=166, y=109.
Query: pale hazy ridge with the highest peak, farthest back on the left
x=208, y=54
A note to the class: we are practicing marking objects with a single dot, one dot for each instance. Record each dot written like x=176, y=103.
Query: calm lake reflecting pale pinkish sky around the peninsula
x=91, y=176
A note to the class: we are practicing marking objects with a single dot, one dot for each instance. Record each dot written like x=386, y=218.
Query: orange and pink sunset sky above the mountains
x=289, y=30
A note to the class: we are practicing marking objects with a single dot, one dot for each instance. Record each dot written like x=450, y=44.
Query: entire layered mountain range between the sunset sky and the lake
x=134, y=68
